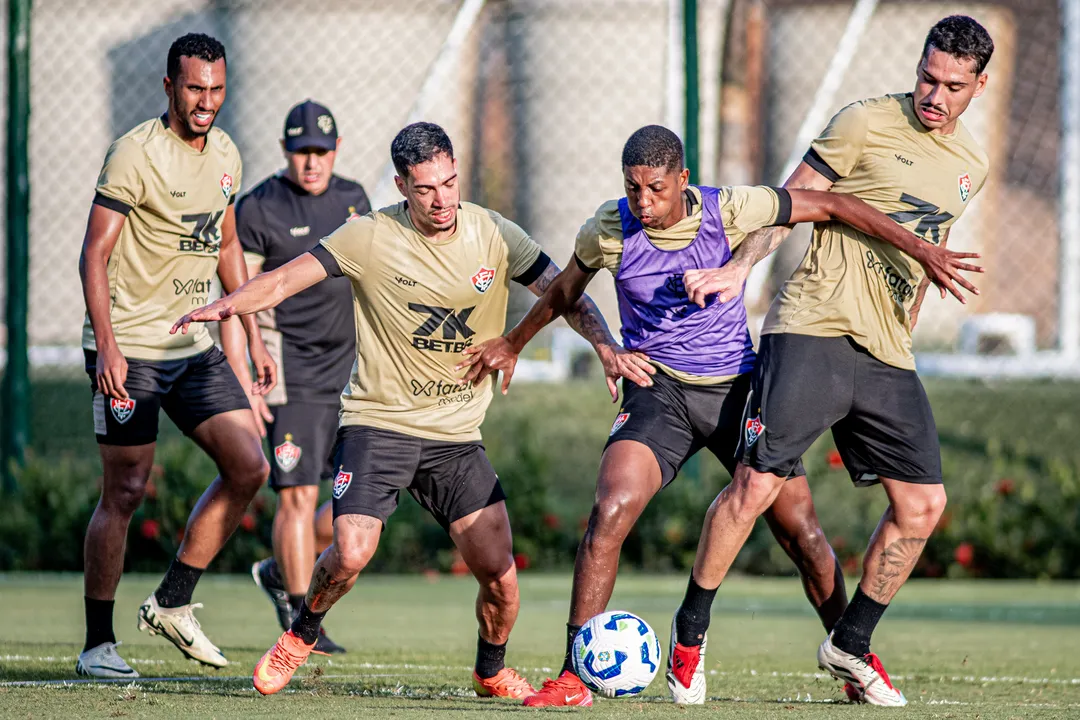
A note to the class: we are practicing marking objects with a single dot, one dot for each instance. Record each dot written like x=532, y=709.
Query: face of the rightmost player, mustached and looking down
x=944, y=87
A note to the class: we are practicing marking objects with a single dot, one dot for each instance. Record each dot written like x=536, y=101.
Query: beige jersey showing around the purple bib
x=744, y=209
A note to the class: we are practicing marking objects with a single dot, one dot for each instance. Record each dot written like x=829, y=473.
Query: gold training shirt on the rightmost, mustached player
x=852, y=284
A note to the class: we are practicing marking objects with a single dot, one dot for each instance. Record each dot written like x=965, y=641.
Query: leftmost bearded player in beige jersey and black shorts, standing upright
x=161, y=225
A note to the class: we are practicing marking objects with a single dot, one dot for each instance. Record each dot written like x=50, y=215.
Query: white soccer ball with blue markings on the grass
x=616, y=655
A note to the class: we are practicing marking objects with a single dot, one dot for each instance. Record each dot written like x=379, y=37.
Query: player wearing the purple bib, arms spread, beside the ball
x=698, y=352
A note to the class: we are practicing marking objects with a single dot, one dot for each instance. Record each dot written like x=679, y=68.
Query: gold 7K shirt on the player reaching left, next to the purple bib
x=418, y=305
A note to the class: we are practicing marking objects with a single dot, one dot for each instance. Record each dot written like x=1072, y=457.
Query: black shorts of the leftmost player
x=191, y=391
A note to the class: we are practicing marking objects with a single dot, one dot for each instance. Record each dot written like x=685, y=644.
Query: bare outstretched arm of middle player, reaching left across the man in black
x=261, y=293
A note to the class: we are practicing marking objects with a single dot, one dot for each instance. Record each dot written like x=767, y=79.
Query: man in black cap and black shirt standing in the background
x=280, y=220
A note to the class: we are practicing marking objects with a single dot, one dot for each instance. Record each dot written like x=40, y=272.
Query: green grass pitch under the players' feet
x=957, y=649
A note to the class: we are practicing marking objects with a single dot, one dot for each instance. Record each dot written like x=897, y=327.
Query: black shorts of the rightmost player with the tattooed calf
x=881, y=416
